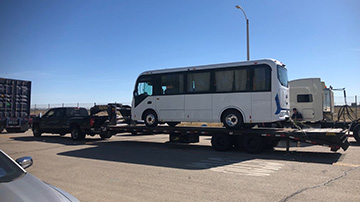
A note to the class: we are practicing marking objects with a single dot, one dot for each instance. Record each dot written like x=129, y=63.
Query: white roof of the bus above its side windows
x=212, y=66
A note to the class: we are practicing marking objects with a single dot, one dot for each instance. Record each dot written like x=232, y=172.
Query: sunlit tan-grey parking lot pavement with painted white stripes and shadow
x=146, y=168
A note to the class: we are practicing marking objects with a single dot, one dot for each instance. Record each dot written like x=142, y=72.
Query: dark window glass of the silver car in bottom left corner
x=9, y=171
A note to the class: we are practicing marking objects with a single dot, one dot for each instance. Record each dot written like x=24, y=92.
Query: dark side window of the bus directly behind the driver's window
x=172, y=84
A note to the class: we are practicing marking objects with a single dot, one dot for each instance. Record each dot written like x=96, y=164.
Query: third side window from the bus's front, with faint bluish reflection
x=198, y=82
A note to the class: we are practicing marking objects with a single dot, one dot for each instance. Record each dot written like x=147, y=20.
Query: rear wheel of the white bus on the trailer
x=232, y=119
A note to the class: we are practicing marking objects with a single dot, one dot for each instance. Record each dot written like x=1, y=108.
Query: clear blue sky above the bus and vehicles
x=77, y=51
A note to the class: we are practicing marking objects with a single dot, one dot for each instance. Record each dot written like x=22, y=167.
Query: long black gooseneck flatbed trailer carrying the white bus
x=252, y=140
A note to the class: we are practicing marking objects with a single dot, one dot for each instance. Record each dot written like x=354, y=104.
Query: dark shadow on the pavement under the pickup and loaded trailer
x=181, y=156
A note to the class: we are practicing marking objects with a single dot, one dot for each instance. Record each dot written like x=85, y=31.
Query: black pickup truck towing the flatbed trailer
x=63, y=120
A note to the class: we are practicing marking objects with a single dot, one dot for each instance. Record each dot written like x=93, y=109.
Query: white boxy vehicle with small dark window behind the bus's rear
x=312, y=98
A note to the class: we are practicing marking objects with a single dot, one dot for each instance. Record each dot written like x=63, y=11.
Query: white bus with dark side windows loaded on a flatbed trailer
x=235, y=94
